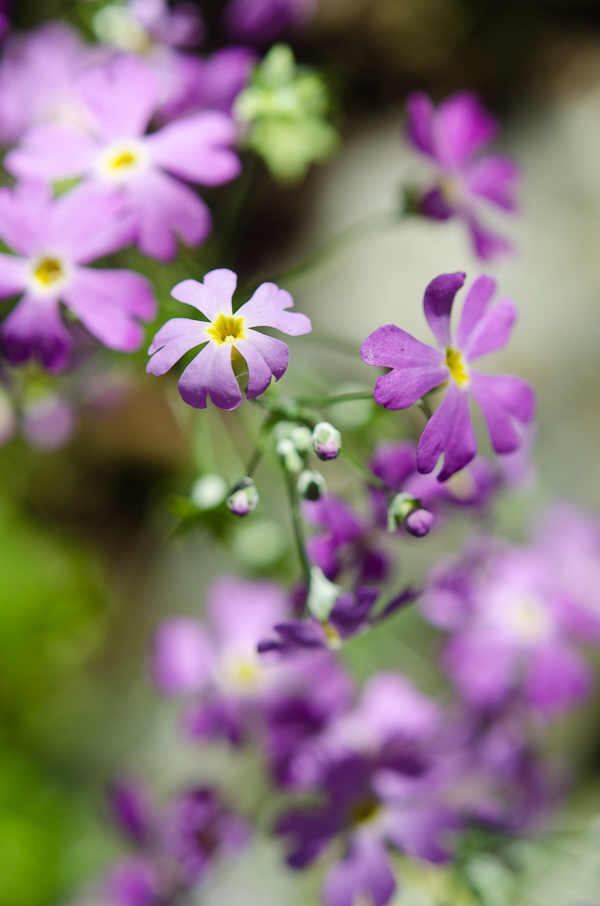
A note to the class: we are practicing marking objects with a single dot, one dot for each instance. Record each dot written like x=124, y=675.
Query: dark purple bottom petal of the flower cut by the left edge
x=34, y=330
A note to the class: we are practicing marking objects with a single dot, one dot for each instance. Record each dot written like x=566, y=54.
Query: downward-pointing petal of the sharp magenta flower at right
x=448, y=431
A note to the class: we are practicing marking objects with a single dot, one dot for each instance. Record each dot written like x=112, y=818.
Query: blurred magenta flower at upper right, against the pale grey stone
x=451, y=137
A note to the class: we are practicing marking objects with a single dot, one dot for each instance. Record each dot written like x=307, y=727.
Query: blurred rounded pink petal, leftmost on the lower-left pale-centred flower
x=182, y=656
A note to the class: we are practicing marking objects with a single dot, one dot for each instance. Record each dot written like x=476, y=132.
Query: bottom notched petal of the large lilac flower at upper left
x=166, y=209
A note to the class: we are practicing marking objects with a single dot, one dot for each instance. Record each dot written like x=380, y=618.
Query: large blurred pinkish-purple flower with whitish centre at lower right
x=510, y=634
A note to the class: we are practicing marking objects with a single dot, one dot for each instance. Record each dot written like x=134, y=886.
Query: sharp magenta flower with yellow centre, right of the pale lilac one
x=418, y=368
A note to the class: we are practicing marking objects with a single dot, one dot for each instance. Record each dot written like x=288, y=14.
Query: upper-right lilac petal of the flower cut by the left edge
x=89, y=222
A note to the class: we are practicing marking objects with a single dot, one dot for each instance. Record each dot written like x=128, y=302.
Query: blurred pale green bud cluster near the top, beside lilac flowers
x=284, y=110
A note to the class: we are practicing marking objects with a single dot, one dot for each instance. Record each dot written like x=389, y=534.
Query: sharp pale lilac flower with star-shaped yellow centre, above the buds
x=229, y=338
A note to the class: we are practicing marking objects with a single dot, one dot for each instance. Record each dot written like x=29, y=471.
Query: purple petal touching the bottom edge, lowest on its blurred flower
x=363, y=875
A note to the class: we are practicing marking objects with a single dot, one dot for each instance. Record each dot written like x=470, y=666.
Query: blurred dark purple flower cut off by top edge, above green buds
x=261, y=21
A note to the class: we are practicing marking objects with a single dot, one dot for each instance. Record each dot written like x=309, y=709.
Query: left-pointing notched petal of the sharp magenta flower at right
x=418, y=368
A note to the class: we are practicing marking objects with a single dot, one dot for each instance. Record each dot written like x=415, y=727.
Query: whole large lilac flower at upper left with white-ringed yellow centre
x=150, y=172
